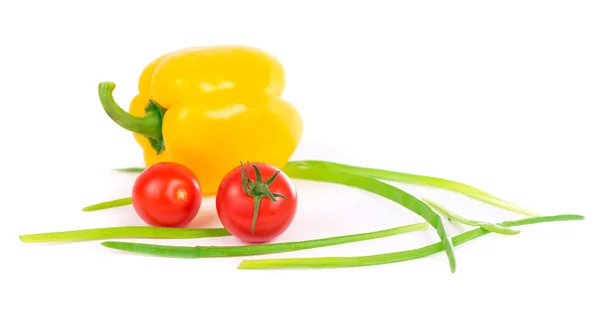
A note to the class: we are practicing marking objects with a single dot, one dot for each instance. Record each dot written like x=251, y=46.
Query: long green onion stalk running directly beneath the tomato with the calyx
x=223, y=251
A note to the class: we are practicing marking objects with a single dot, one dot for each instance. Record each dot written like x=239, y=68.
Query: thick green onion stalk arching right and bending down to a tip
x=382, y=189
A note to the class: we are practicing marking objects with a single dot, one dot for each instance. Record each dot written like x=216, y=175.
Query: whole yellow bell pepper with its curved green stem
x=209, y=108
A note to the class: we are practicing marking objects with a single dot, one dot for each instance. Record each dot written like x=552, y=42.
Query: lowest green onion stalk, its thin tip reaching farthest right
x=339, y=262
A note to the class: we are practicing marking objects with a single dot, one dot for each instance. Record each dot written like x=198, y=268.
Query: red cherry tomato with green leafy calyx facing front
x=235, y=206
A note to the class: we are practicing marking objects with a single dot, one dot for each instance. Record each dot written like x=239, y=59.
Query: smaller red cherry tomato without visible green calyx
x=167, y=195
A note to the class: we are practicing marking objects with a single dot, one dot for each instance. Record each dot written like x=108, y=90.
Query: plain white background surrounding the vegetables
x=500, y=95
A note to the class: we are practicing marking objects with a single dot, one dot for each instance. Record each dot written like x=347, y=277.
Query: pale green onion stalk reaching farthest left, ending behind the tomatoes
x=125, y=232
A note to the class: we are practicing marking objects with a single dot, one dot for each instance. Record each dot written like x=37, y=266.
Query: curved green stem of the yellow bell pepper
x=150, y=125
